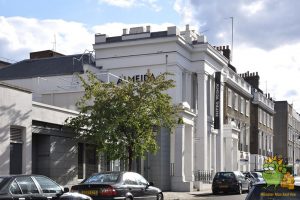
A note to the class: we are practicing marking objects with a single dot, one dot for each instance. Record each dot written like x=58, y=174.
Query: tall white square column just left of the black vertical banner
x=201, y=134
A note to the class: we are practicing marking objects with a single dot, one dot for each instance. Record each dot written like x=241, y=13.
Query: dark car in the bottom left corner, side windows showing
x=40, y=187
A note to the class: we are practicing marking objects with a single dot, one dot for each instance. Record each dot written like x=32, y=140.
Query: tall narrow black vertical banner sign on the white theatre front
x=217, y=100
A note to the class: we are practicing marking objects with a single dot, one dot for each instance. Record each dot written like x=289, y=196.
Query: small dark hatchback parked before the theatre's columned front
x=230, y=182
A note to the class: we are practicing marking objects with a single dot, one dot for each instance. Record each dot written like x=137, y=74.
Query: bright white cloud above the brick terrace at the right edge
x=279, y=69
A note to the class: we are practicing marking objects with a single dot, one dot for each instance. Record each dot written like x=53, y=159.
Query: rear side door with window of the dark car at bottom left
x=29, y=188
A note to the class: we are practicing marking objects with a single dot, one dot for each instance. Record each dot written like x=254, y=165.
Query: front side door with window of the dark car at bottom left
x=49, y=188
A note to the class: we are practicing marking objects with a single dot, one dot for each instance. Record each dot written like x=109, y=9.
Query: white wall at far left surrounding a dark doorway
x=15, y=110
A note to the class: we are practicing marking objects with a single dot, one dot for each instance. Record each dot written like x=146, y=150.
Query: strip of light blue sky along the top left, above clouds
x=89, y=12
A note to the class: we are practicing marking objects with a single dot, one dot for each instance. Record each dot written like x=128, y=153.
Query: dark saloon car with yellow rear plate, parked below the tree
x=118, y=185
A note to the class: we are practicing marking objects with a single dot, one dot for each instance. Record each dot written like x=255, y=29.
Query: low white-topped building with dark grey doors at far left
x=18, y=112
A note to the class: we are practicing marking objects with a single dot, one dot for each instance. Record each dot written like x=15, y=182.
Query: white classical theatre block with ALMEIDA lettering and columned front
x=203, y=81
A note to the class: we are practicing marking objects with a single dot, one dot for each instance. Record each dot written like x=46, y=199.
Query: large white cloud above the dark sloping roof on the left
x=19, y=36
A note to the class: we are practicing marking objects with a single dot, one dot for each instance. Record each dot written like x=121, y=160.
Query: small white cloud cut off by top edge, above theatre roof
x=133, y=3
